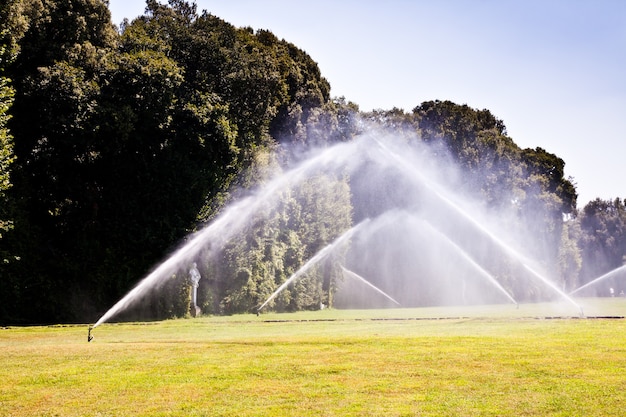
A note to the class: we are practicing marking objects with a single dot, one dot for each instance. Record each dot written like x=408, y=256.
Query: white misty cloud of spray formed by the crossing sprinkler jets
x=424, y=238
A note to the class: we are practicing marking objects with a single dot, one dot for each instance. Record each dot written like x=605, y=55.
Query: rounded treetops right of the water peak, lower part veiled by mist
x=528, y=183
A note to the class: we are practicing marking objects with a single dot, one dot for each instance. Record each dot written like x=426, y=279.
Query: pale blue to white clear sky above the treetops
x=554, y=71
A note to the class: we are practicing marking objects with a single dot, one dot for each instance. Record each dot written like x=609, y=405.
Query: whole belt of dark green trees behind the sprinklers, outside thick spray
x=116, y=143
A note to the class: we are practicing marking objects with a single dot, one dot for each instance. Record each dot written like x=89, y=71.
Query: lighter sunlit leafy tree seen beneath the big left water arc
x=276, y=243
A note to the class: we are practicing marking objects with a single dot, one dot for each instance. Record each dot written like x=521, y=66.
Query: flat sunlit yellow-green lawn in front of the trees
x=472, y=362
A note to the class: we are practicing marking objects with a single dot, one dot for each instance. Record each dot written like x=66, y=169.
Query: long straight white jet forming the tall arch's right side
x=440, y=194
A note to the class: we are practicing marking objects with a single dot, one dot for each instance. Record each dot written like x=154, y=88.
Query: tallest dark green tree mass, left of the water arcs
x=123, y=140
